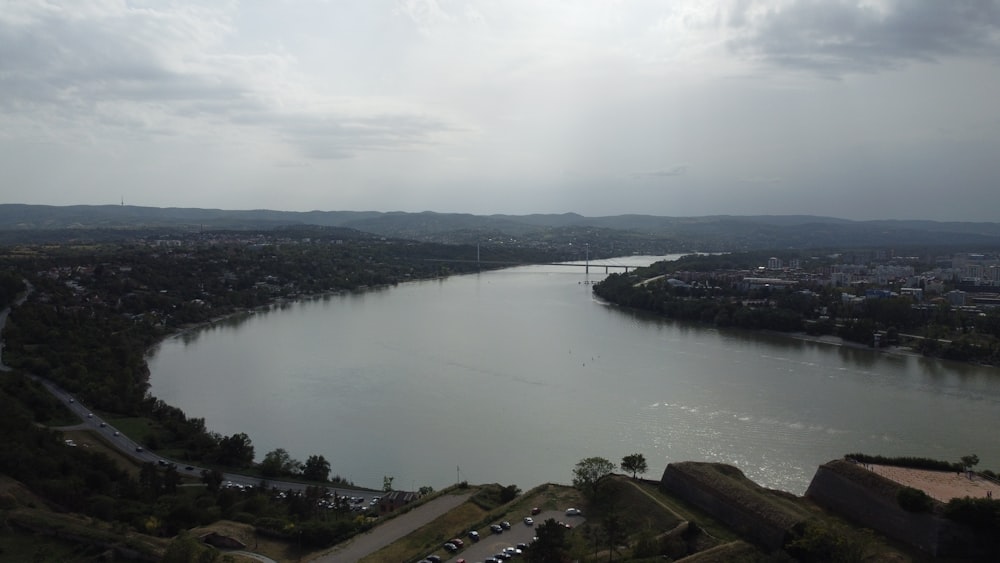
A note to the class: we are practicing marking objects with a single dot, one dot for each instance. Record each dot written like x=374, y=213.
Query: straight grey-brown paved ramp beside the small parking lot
x=398, y=527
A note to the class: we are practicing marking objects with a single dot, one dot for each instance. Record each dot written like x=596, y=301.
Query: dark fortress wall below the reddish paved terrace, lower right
x=841, y=487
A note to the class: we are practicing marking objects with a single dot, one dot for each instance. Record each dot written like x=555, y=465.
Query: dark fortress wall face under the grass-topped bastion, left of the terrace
x=753, y=525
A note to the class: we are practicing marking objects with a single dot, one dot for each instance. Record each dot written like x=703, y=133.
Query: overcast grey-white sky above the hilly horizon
x=857, y=109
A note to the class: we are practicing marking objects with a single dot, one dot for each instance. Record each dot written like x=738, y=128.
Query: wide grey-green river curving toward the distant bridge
x=513, y=376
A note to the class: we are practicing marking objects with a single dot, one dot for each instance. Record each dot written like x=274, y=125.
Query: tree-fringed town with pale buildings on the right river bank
x=938, y=305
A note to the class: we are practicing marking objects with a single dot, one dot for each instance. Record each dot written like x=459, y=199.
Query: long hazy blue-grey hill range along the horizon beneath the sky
x=629, y=232
